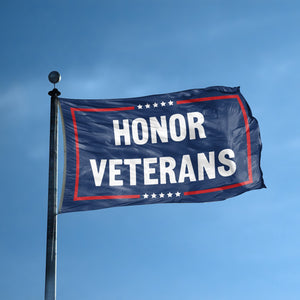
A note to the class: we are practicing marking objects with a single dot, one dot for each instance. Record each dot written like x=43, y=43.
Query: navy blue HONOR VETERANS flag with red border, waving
x=192, y=146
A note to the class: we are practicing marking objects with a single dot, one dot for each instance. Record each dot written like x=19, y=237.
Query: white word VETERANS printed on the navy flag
x=165, y=170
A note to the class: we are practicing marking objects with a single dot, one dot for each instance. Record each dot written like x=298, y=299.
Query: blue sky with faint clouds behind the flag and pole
x=245, y=247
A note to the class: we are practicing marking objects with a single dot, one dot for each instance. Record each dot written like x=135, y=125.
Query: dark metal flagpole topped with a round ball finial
x=50, y=277
